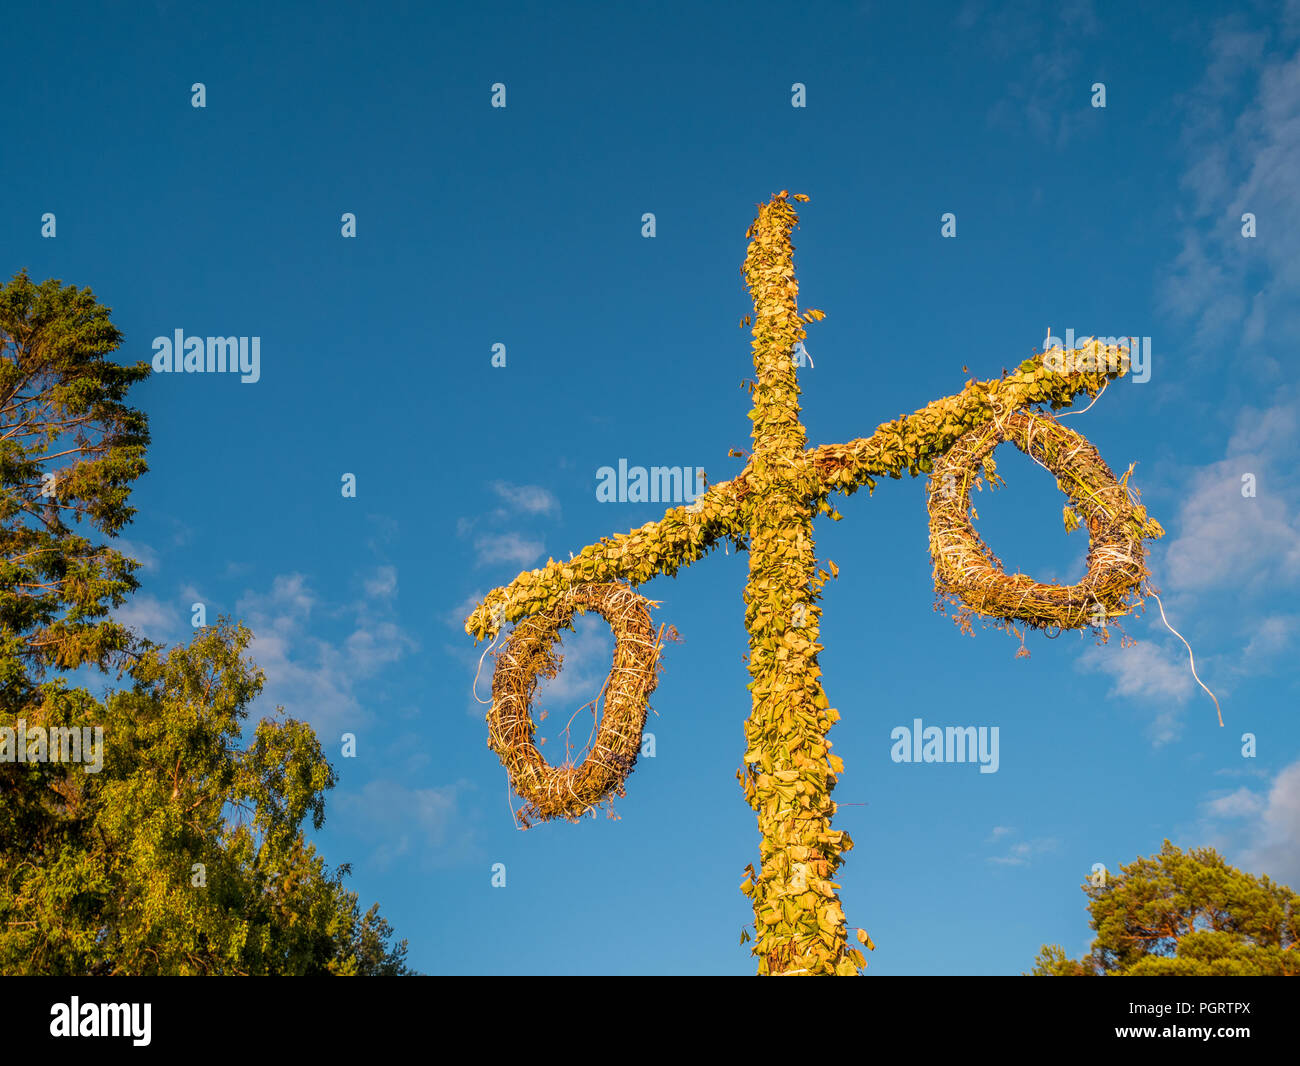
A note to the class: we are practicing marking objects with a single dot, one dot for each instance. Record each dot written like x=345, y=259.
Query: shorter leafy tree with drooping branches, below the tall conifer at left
x=184, y=855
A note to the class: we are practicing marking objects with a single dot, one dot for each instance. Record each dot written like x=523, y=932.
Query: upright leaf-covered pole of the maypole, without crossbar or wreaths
x=790, y=772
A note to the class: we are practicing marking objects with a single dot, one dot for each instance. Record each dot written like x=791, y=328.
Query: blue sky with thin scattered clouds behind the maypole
x=523, y=227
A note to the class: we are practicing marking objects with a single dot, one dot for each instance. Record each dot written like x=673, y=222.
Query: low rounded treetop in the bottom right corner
x=1186, y=915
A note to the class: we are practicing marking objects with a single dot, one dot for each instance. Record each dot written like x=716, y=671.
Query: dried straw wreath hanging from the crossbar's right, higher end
x=969, y=574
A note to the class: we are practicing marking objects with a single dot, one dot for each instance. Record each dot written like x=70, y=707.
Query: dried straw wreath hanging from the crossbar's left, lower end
x=528, y=656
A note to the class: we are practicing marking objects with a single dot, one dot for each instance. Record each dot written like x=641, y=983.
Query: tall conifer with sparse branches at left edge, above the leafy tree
x=70, y=450
